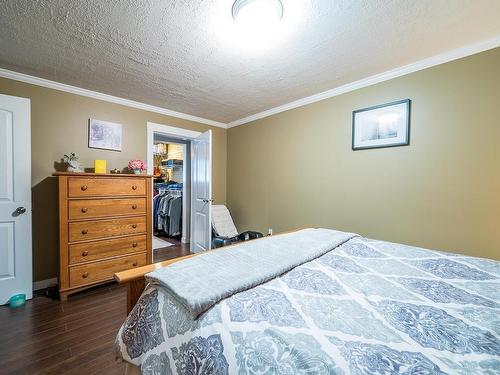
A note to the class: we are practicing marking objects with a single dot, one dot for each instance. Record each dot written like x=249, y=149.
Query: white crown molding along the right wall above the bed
x=390, y=74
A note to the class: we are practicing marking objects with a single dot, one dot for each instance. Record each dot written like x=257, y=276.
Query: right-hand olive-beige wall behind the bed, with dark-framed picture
x=297, y=168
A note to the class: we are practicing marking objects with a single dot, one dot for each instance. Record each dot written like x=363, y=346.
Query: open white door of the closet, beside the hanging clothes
x=201, y=192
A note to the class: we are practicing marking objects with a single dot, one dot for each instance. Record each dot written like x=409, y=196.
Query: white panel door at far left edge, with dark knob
x=15, y=198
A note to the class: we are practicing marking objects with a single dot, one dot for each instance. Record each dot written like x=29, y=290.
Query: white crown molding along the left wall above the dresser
x=100, y=96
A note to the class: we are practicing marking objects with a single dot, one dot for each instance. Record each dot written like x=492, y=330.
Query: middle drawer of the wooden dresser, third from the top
x=88, y=230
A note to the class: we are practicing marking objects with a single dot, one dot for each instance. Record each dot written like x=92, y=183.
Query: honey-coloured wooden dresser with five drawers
x=104, y=227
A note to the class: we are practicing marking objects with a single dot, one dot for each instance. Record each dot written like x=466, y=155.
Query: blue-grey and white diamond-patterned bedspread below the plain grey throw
x=366, y=307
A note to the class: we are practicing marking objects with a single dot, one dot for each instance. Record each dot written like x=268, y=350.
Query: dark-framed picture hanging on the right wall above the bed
x=385, y=125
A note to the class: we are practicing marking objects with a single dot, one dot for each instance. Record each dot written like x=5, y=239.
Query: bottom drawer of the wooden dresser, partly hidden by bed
x=103, y=270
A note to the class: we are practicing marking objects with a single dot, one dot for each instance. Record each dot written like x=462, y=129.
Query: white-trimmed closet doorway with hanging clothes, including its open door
x=182, y=188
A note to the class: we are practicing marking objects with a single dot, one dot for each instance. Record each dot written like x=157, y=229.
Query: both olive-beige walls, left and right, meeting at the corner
x=297, y=168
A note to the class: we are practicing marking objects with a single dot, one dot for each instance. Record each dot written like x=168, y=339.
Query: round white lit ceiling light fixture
x=257, y=11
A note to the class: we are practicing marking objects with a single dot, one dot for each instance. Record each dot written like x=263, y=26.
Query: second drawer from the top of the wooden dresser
x=95, y=208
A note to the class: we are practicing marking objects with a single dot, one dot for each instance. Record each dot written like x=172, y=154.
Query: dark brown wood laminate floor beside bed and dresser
x=46, y=336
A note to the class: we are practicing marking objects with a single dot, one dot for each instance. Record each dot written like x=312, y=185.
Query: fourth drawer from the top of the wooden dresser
x=84, y=252
